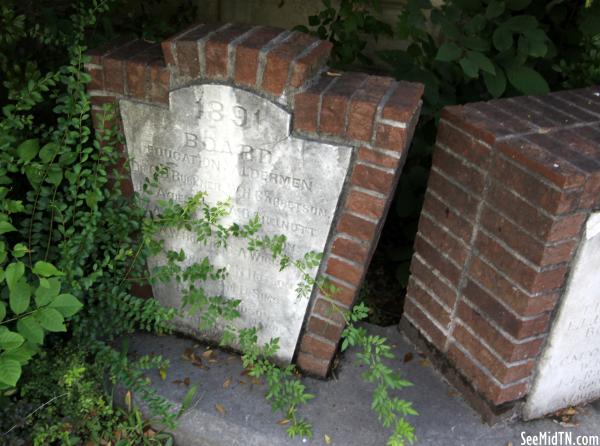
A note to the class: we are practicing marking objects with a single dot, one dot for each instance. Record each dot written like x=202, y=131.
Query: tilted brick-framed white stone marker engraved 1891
x=250, y=114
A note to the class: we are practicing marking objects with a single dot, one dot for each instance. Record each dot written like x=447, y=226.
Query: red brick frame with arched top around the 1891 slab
x=374, y=115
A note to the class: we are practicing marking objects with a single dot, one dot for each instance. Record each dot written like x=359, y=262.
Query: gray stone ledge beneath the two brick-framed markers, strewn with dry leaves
x=341, y=408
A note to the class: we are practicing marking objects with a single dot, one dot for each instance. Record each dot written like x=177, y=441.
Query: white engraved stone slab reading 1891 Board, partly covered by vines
x=236, y=145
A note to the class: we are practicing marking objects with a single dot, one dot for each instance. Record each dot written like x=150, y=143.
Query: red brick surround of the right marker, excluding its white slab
x=512, y=184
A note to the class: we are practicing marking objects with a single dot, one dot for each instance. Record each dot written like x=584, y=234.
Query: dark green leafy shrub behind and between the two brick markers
x=463, y=51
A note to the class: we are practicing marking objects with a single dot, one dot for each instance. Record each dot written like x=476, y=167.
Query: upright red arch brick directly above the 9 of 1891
x=247, y=53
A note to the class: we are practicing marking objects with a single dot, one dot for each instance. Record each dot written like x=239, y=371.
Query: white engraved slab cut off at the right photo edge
x=569, y=371
